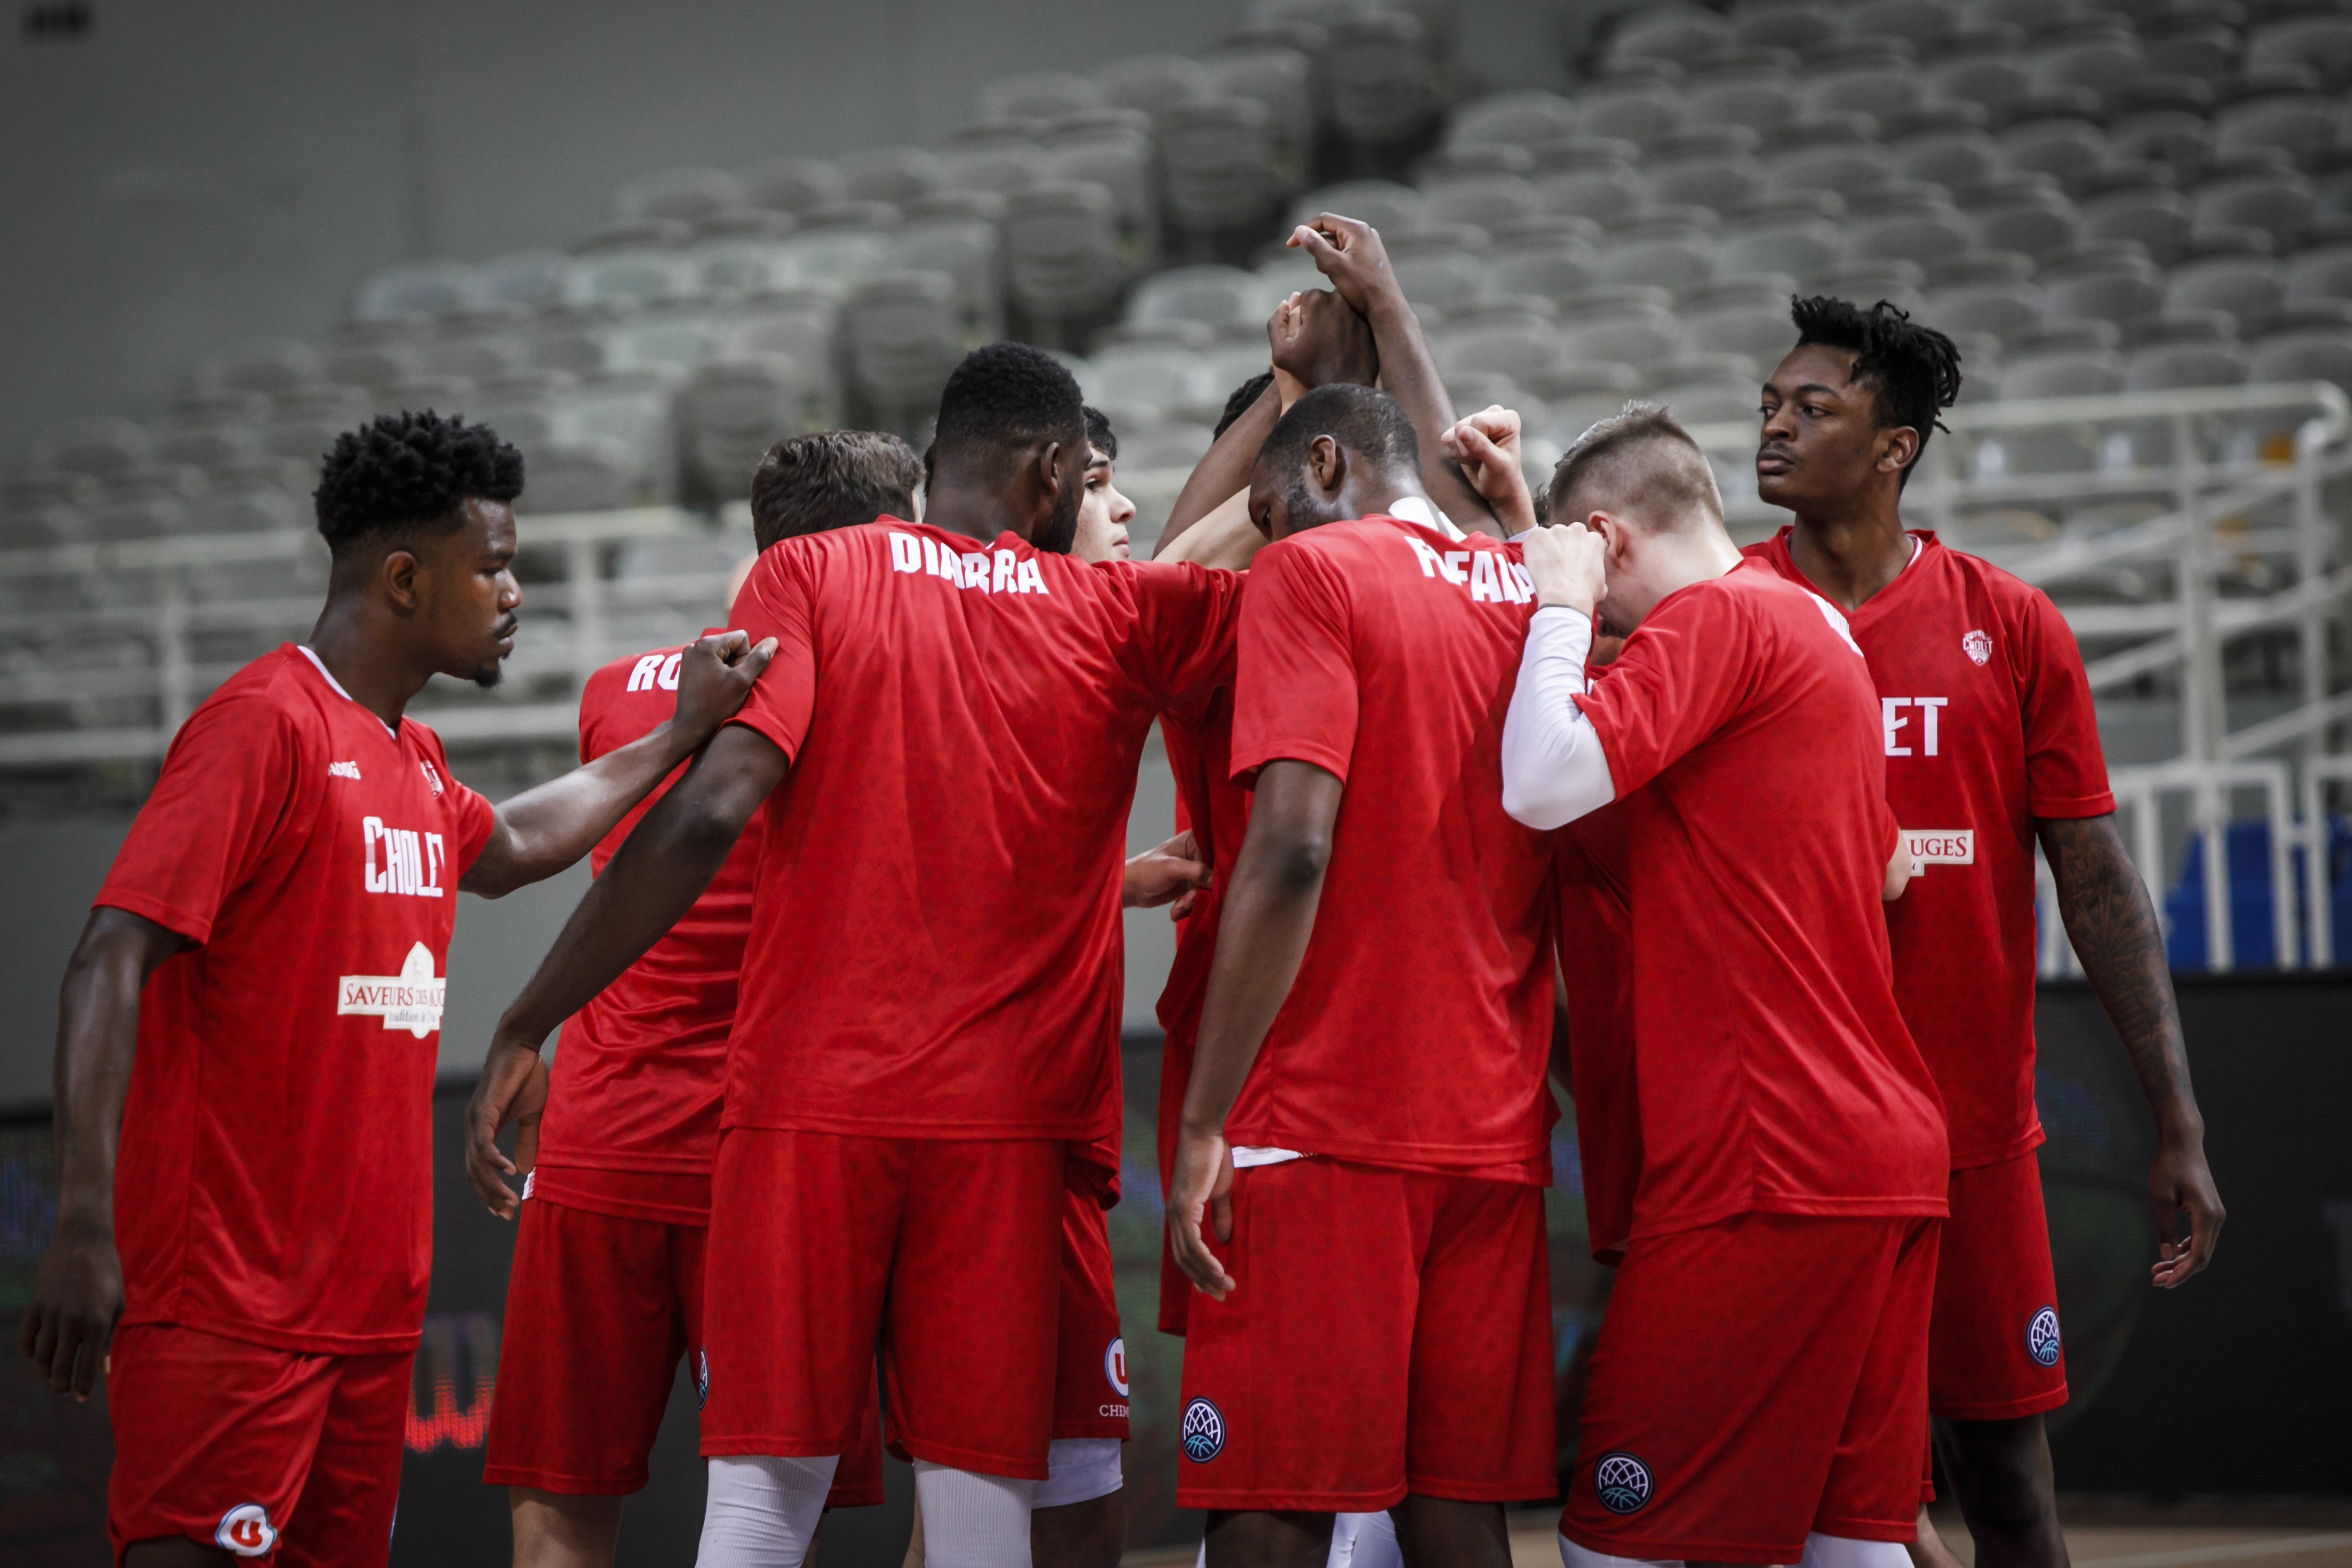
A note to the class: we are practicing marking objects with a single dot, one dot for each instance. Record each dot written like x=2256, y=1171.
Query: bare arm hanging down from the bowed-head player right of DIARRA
x=1262, y=939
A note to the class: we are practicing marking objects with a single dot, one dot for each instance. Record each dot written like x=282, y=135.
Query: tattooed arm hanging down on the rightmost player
x=2113, y=925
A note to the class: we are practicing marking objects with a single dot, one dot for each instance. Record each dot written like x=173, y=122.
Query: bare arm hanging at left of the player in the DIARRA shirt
x=655, y=878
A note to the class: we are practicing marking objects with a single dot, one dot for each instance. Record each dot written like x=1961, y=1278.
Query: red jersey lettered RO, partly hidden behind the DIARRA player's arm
x=641, y=1071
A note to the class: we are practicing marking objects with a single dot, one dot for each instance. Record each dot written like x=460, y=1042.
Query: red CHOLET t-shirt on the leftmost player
x=276, y=1172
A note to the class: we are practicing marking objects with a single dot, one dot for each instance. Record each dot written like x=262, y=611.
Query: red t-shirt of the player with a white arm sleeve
x=1775, y=1068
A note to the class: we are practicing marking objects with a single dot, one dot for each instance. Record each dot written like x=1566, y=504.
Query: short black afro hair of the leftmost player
x=403, y=476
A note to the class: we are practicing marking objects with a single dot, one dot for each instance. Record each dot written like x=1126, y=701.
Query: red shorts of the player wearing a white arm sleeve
x=1758, y=1381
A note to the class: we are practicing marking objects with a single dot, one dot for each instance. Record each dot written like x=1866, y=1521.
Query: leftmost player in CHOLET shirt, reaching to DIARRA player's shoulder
x=253, y=1021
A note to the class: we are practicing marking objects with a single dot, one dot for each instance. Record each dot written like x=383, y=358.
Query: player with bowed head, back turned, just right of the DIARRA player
x=1370, y=1076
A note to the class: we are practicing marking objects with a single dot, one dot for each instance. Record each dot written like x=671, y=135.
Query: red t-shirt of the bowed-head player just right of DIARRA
x=1419, y=1026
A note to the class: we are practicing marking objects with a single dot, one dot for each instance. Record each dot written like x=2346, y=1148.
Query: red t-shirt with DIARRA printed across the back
x=935, y=942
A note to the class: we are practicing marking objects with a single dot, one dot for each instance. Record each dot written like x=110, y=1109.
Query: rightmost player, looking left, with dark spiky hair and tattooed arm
x=1991, y=744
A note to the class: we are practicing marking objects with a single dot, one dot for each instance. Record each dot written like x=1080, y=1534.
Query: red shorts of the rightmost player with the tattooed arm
x=1993, y=1343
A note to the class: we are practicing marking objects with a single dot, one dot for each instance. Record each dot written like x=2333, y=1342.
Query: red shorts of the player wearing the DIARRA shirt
x=940, y=1254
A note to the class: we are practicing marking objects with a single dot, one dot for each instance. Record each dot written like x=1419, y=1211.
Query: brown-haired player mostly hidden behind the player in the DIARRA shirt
x=608, y=1280
